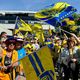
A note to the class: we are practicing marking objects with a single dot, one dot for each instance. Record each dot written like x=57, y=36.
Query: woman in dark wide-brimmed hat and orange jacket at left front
x=9, y=60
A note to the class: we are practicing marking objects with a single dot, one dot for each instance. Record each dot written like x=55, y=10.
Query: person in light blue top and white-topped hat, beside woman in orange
x=21, y=53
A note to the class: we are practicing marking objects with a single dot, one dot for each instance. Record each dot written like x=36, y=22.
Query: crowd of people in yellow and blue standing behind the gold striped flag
x=65, y=54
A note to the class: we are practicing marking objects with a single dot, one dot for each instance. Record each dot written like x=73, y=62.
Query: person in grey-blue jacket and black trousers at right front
x=69, y=59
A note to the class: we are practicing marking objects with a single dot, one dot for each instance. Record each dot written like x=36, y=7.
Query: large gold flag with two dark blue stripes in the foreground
x=39, y=65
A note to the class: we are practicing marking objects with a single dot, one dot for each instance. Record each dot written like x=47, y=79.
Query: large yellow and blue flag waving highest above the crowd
x=52, y=18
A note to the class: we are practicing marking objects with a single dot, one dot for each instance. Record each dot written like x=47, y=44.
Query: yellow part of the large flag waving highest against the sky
x=46, y=13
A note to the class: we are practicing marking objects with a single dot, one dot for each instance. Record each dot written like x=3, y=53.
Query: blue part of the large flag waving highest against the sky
x=62, y=15
